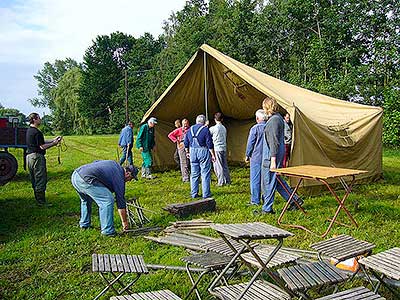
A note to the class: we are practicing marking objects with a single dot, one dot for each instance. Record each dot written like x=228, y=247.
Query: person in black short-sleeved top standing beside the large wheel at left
x=35, y=157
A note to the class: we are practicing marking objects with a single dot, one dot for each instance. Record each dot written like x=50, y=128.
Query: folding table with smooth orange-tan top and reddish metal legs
x=321, y=174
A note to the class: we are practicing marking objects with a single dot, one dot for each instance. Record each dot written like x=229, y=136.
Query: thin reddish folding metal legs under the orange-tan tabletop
x=333, y=193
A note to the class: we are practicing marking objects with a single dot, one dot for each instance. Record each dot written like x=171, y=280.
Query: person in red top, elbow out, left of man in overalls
x=177, y=136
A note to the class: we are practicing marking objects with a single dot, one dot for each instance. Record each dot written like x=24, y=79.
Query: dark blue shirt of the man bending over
x=106, y=173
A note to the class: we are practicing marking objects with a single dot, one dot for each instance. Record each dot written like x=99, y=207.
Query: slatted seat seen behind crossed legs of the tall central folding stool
x=264, y=251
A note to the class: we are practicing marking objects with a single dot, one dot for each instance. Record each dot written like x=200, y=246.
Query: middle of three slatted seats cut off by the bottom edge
x=258, y=290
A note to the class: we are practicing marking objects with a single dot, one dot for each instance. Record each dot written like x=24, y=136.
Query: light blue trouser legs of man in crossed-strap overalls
x=200, y=165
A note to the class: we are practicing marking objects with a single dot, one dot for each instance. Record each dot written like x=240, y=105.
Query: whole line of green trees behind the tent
x=347, y=49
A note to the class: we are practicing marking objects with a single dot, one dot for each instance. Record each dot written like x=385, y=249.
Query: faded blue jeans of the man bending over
x=103, y=198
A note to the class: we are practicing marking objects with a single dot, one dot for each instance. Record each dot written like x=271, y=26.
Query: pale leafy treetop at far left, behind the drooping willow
x=48, y=79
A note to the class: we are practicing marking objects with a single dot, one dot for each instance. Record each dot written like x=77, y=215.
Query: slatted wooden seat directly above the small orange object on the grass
x=343, y=247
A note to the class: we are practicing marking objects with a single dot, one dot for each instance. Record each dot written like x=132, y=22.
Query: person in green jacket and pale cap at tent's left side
x=145, y=143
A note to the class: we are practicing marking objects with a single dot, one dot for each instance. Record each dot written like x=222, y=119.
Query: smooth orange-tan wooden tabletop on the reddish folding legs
x=319, y=172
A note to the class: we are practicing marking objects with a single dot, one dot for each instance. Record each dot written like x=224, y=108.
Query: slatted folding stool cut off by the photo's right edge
x=382, y=265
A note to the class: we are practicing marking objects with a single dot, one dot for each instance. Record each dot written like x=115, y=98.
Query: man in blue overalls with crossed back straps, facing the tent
x=198, y=139
